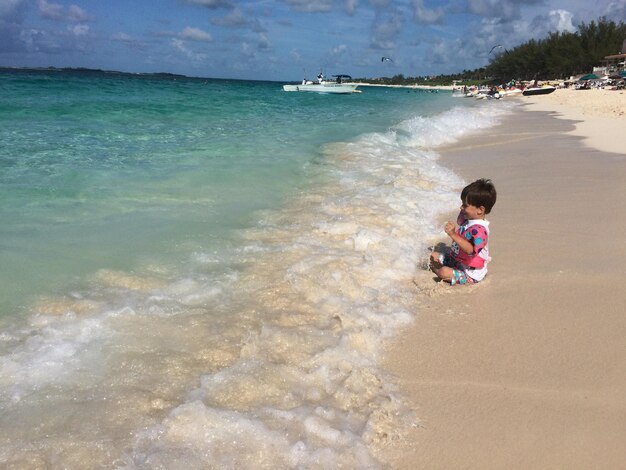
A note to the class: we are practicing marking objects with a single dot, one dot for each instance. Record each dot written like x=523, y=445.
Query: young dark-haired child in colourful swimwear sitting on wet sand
x=466, y=262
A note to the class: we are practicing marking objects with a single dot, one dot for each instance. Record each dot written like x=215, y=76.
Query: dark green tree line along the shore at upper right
x=558, y=56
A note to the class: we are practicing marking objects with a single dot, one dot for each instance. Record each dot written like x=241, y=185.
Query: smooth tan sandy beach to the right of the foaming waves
x=526, y=369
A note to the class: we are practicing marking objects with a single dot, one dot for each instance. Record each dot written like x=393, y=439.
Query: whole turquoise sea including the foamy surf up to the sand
x=199, y=273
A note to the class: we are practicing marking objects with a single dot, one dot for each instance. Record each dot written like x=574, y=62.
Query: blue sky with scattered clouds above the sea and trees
x=280, y=39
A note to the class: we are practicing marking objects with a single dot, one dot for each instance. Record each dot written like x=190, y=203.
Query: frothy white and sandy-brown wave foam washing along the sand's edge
x=333, y=283
